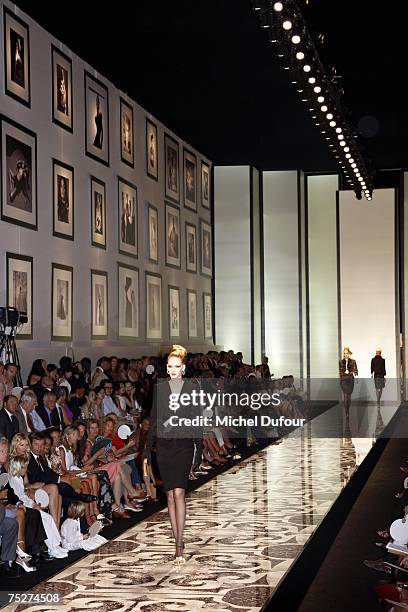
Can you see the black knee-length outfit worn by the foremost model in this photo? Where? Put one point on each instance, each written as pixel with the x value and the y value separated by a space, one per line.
pixel 174 445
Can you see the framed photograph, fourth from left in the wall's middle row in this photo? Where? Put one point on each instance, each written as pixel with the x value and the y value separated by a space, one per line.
pixel 128 218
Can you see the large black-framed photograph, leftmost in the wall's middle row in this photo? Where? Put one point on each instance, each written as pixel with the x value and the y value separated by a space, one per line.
pixel 18 174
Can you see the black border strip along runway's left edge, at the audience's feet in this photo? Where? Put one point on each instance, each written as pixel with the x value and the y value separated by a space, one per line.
pixel 47 570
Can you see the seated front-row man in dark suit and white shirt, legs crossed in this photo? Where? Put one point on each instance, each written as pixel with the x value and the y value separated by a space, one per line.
pixel 39 471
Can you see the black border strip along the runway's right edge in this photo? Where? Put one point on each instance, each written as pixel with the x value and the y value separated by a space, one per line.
pixel 293 587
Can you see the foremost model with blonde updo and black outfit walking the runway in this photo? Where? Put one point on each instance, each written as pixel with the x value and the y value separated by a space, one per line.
pixel 174 444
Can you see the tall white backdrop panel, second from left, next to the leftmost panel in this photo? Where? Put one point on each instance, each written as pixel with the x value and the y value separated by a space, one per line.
pixel 281 271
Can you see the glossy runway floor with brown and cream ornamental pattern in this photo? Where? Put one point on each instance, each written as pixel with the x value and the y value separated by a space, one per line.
pixel 244 530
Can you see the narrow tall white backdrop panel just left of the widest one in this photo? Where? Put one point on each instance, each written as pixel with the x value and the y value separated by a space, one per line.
pixel 322 258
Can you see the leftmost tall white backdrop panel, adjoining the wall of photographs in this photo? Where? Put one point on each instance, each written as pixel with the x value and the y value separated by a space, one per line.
pixel 232 215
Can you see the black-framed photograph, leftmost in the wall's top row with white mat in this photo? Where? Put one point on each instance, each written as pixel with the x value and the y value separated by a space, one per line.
pixel 16 58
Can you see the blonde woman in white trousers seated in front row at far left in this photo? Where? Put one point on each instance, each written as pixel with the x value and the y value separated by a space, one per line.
pixel 17 473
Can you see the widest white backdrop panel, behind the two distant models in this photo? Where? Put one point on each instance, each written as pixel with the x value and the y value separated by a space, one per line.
pixel 367 281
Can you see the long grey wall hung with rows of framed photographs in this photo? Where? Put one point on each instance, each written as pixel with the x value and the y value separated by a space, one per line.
pixel 29 118
